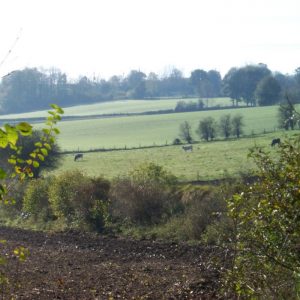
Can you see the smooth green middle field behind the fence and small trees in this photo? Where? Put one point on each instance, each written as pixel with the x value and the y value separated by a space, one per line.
pixel 135 131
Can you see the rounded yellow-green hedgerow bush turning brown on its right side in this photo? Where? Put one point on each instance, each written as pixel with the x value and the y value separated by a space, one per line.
pixel 80 200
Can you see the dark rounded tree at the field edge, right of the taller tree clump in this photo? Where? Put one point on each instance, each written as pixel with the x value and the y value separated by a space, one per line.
pixel 268 91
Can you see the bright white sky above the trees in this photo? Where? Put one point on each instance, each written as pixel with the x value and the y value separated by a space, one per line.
pixel 102 38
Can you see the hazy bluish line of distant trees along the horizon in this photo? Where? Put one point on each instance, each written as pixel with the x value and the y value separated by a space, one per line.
pixel 33 89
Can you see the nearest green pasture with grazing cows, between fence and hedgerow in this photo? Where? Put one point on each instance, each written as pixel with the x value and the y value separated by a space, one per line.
pixel 209 160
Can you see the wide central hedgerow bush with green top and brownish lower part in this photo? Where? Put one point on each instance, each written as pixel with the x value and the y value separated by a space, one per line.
pixel 147 196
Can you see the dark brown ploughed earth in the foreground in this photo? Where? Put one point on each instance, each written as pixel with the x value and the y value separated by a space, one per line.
pixel 75 265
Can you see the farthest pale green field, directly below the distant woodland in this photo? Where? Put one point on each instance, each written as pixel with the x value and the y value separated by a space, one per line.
pixel 120 107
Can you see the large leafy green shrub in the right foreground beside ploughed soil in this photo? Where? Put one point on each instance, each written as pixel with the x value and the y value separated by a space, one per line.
pixel 266 215
